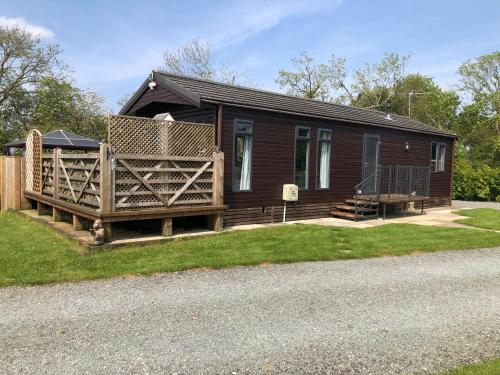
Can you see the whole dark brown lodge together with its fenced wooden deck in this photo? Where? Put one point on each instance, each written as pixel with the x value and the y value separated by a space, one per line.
pixel 189 147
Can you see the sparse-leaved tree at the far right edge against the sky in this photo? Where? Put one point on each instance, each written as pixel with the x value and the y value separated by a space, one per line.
pixel 481 79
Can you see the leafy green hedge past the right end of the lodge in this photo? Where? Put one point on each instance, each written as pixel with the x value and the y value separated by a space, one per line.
pixel 476 184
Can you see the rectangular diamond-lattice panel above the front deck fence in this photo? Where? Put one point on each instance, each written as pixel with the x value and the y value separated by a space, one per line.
pixel 138 135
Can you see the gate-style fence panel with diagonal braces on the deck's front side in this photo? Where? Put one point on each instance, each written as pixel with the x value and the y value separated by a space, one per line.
pixel 152 182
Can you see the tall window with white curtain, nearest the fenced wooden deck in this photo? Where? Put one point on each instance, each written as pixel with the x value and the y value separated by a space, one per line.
pixel 242 165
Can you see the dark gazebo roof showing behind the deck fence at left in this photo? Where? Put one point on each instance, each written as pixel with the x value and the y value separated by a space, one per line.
pixel 63 139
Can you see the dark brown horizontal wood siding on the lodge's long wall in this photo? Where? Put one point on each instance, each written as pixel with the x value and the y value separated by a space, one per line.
pixel 273 157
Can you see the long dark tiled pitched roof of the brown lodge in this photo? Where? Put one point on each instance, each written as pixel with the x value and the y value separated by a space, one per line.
pixel 201 90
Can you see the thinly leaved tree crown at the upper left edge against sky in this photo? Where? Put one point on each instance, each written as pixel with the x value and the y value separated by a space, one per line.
pixel 24 59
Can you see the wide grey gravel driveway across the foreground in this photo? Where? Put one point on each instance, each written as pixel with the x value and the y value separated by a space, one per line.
pixel 412 314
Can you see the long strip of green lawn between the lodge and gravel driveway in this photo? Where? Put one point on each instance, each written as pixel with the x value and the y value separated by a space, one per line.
pixel 31 253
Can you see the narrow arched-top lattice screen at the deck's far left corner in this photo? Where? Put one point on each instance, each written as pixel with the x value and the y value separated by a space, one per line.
pixel 33 156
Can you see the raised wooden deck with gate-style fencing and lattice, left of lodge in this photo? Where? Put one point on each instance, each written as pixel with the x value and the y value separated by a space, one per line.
pixel 151 169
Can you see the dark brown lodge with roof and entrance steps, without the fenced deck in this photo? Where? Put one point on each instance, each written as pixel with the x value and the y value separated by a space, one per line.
pixel 334 153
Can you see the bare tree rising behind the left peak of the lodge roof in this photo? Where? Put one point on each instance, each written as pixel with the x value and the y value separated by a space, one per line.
pixel 198 59
